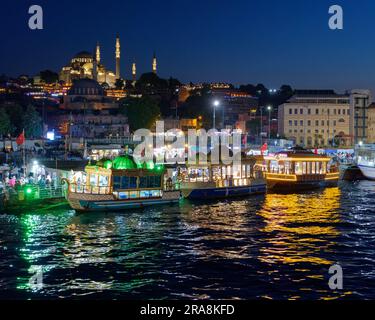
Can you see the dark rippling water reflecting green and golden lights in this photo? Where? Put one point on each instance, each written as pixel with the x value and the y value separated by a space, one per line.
pixel 267 247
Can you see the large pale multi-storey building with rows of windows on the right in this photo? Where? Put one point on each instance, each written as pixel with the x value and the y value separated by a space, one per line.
pixel 316 118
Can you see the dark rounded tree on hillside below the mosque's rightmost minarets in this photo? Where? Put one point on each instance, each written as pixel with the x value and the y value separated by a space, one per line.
pixel 141 112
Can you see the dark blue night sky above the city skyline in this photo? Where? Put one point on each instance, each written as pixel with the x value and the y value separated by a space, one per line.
pixel 274 42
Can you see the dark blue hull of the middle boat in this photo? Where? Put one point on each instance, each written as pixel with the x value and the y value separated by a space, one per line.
pixel 222 193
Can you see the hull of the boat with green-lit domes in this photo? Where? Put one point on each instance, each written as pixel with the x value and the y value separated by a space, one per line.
pixel 86 203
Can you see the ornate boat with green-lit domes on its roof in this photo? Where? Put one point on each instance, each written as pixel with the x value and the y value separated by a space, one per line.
pixel 121 184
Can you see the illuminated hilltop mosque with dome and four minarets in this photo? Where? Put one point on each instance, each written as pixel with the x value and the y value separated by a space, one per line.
pixel 87 65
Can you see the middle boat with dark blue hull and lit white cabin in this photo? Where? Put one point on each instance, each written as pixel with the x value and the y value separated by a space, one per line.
pixel 220 181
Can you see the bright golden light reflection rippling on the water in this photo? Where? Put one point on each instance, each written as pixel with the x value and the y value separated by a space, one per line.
pixel 300 226
